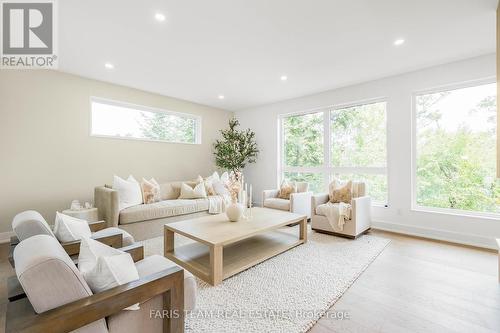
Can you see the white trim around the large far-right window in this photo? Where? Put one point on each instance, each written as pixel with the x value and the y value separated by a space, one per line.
pixel 428 209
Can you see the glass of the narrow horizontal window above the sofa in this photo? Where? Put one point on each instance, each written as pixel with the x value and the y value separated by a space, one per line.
pixel 114 120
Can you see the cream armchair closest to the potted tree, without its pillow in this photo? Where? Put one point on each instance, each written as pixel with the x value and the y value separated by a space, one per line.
pixel 300 201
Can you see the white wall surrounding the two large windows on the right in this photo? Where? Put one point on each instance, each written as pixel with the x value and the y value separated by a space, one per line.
pixel 398 91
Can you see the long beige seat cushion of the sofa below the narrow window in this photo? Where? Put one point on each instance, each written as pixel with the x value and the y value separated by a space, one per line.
pixel 162 209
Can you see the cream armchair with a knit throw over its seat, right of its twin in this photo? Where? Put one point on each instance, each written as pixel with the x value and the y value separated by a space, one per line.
pixel 360 220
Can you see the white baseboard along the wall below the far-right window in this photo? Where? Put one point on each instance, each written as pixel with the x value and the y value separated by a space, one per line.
pixel 443 235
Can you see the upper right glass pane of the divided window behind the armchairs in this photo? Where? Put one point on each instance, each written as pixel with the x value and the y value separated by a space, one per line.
pixel 358 136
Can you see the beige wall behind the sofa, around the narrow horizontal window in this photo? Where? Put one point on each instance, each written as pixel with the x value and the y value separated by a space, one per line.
pixel 47 157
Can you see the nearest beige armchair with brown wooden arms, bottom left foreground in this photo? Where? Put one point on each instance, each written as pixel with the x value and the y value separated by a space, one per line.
pixel 52 282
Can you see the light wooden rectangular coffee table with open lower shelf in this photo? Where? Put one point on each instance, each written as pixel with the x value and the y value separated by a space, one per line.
pixel 223 249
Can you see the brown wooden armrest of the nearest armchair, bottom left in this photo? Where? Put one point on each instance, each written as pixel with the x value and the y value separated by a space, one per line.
pixel 169 283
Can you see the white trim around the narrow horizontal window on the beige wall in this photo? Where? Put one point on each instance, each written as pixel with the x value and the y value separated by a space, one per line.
pixel 197 118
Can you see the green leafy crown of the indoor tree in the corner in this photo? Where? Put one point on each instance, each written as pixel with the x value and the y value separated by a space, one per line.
pixel 236 149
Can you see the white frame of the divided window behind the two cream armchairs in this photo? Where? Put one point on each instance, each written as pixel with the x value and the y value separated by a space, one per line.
pixel 326 169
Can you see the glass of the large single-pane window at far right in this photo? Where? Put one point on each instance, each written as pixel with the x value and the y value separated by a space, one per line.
pixel 456 136
